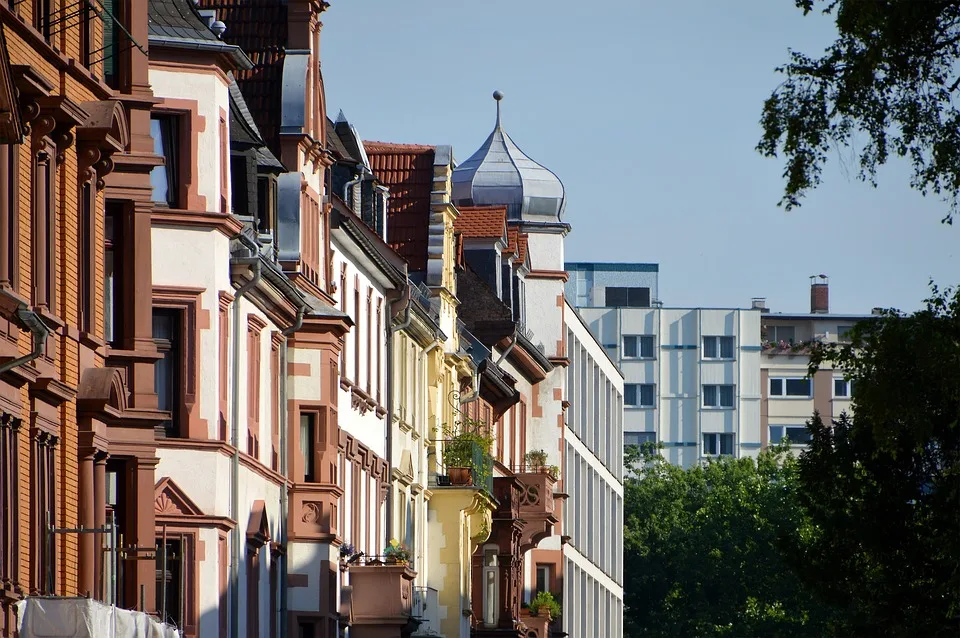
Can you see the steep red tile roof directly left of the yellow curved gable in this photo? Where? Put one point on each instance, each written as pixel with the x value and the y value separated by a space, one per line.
pixel 407 170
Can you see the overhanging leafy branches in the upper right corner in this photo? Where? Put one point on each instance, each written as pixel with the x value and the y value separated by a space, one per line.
pixel 888 84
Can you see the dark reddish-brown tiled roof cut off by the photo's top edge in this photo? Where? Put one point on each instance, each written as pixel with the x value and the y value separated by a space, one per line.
pixel 259 27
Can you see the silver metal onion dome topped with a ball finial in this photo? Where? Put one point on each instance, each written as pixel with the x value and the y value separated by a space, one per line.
pixel 499 173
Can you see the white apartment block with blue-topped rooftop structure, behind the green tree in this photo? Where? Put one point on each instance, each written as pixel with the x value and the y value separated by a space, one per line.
pixel 691 375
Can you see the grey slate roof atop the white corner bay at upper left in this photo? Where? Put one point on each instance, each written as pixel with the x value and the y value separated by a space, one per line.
pixel 178 24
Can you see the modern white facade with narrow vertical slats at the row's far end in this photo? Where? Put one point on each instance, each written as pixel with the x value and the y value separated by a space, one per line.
pixel 593 477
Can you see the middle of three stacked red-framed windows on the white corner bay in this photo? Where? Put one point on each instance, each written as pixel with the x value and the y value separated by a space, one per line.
pixel 167 333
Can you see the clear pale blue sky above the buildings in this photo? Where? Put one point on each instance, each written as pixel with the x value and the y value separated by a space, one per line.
pixel 648 112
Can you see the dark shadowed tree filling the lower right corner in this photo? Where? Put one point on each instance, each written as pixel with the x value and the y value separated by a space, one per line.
pixel 883 490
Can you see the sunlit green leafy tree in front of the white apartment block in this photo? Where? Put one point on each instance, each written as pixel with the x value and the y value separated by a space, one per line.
pixel 706 549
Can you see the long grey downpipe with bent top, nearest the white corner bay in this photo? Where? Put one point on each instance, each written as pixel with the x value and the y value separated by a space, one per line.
pixel 253 261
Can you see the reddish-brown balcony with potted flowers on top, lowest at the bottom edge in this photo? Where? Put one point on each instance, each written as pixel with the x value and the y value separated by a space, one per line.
pixel 382 598
